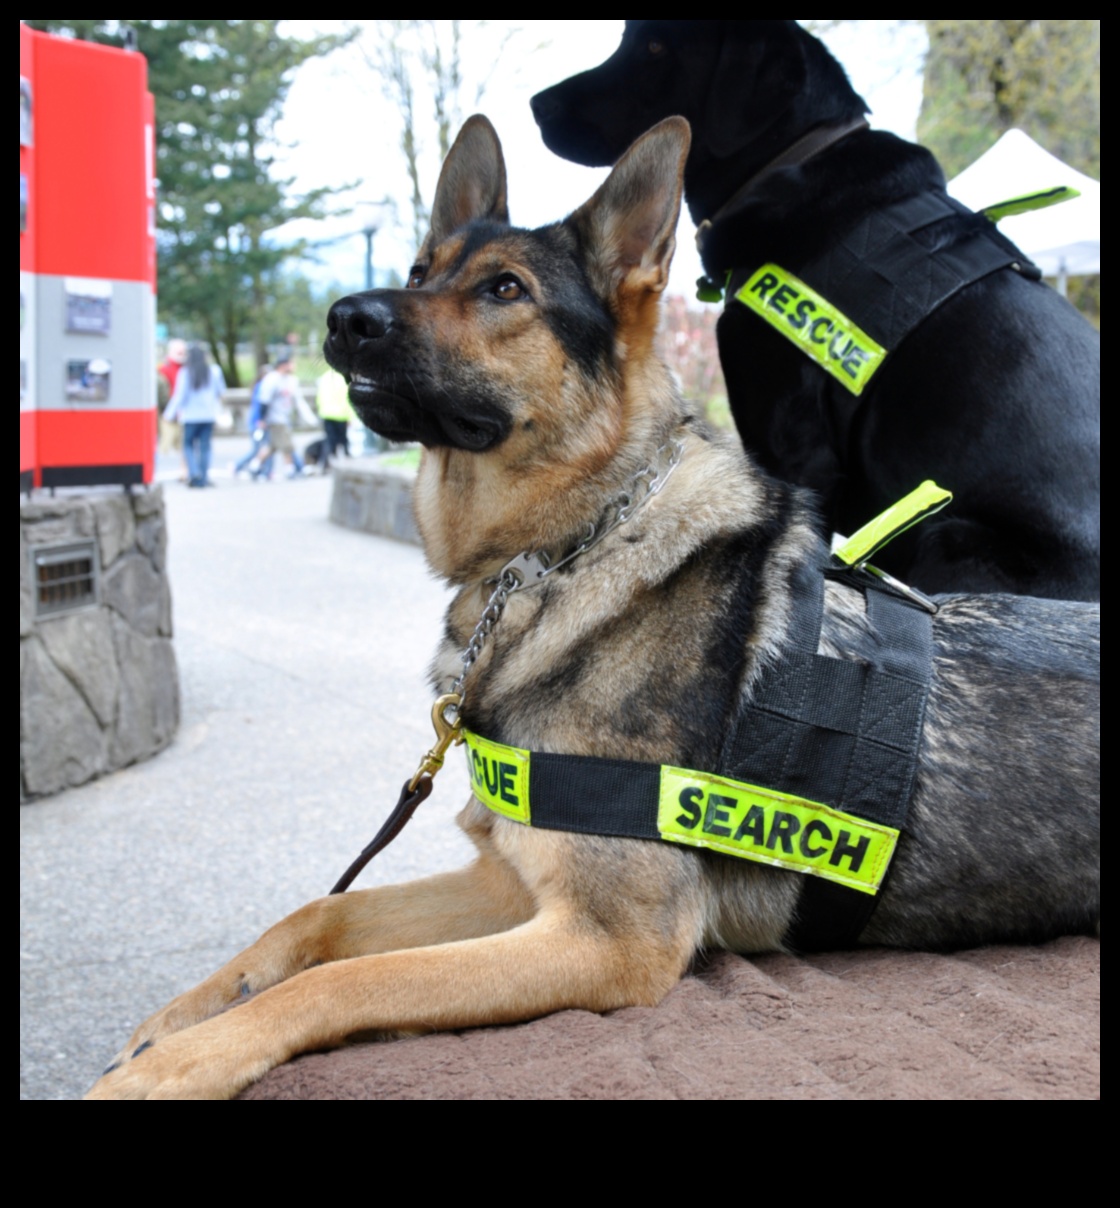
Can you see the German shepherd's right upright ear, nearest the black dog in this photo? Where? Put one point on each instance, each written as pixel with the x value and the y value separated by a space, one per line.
pixel 629 226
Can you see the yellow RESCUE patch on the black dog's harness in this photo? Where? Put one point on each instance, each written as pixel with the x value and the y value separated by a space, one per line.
pixel 815 326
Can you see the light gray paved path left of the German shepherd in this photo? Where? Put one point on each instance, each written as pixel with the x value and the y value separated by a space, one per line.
pixel 303 653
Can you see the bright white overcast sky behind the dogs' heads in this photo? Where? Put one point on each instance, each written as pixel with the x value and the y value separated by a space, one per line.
pixel 340 130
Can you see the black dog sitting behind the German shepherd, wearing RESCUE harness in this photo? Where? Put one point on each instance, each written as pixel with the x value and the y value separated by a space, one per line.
pixel 995 394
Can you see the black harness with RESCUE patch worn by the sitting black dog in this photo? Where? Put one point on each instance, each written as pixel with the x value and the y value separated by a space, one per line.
pixel 855 305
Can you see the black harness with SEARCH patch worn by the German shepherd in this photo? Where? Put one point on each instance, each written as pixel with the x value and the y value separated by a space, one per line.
pixel 816 775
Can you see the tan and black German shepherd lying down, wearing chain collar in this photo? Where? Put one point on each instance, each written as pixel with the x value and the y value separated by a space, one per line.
pixel 524 363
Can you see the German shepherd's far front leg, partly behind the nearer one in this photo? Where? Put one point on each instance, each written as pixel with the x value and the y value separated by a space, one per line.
pixel 485 898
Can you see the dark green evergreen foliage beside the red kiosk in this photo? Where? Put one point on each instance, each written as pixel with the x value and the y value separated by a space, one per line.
pixel 219 89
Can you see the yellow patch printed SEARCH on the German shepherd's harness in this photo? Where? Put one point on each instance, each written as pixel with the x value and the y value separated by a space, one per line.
pixel 703 810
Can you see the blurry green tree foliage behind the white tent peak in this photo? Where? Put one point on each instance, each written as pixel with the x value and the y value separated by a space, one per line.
pixel 984 78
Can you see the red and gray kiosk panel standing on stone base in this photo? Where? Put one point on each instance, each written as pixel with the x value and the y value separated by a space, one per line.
pixel 88 265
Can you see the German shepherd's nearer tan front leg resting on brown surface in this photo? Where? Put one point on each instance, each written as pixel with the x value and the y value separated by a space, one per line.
pixel 555 961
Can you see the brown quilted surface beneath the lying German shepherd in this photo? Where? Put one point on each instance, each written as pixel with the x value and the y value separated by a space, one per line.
pixel 988 1024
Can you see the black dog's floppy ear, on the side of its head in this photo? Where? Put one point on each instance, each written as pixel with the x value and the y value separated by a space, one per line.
pixel 761 73
